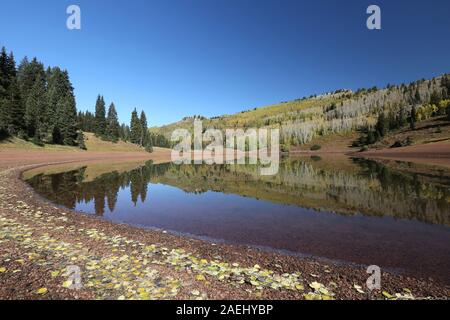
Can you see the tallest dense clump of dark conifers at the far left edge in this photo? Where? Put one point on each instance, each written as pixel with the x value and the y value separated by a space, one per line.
pixel 37 103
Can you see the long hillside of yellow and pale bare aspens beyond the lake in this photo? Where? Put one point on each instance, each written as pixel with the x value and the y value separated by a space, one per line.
pixel 343 112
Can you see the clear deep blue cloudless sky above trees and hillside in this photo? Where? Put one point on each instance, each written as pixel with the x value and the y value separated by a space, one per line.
pixel 175 58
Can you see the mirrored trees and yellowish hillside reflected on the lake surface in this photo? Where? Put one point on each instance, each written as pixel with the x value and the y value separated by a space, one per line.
pixel 360 186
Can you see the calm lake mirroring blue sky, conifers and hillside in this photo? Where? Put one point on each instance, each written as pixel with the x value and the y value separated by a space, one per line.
pixel 388 213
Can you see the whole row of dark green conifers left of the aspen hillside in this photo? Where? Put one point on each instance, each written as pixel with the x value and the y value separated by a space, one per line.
pixel 38 104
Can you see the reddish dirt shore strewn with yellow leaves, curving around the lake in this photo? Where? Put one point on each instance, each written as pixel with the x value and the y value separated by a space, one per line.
pixel 38 240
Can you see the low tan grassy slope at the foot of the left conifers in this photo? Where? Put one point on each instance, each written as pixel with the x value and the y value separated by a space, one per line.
pixel 92 144
